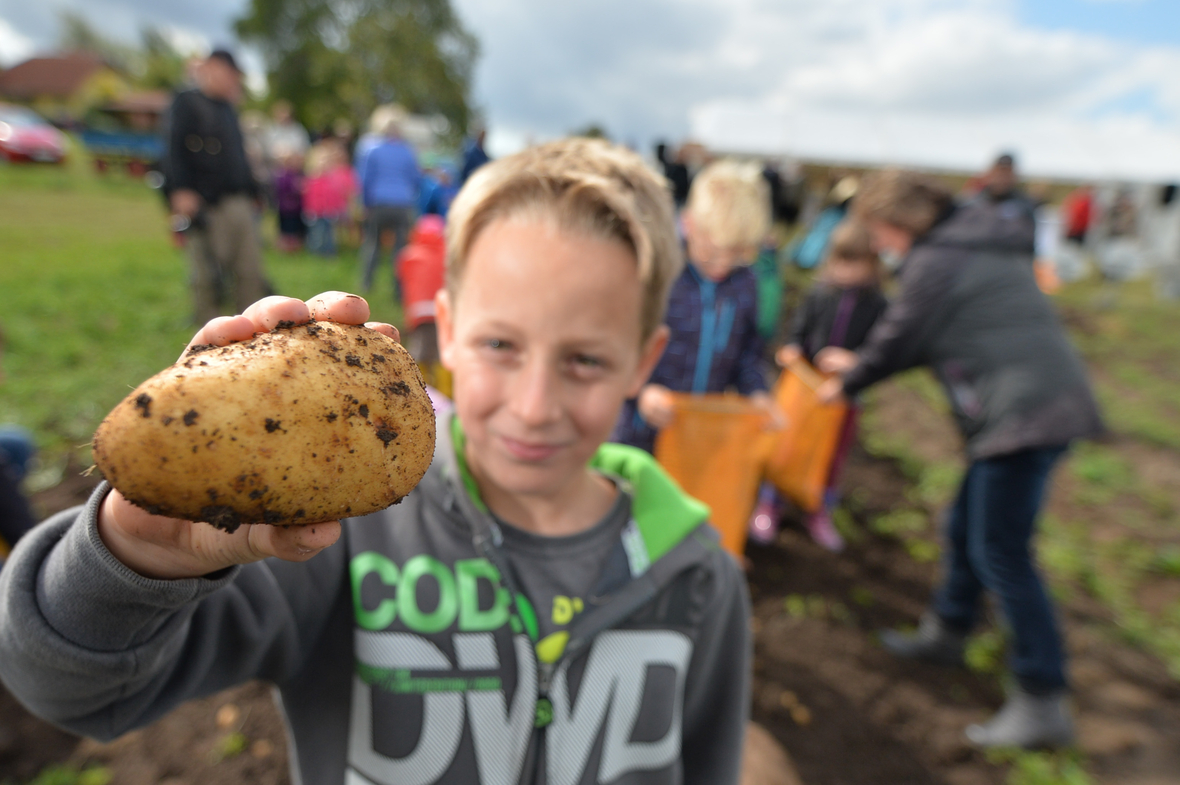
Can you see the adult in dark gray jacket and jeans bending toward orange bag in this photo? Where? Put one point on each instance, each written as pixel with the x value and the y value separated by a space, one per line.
pixel 971 310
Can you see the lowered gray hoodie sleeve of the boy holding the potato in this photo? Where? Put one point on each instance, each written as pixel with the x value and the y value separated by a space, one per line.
pixel 717 691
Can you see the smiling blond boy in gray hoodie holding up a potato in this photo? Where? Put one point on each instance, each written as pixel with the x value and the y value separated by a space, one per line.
pixel 543 609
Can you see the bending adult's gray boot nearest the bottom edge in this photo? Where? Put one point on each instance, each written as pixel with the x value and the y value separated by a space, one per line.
pixel 1027 721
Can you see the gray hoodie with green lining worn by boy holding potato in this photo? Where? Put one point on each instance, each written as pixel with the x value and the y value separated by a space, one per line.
pixel 401 655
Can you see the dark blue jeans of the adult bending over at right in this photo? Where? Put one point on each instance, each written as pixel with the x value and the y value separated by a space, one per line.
pixel 988 534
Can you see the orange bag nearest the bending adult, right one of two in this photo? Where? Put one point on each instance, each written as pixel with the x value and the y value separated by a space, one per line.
pixel 801 460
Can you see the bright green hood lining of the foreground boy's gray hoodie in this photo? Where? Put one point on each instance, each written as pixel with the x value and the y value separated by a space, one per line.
pixel 665 514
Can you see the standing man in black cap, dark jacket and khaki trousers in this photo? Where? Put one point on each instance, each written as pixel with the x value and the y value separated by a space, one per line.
pixel 213 192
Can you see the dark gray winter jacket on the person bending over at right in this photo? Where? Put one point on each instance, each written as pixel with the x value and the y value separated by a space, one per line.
pixel 969 308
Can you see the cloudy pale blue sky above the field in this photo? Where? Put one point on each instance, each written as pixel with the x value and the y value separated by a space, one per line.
pixel 1076 88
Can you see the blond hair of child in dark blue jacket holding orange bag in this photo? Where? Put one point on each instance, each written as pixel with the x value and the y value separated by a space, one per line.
pixel 730 204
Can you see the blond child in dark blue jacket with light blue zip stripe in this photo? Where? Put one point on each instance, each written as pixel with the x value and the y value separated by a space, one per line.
pixel 714 343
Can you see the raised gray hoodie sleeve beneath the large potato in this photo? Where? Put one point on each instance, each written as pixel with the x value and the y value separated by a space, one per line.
pixel 93 646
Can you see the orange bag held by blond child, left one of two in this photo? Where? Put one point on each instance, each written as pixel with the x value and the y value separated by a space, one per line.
pixel 711 449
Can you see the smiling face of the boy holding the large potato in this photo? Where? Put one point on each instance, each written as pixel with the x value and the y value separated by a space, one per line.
pixel 545 343
